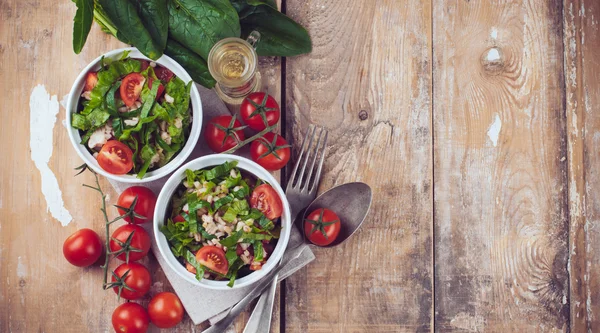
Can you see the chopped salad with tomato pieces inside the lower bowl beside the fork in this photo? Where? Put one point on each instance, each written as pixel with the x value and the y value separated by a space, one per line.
pixel 223 223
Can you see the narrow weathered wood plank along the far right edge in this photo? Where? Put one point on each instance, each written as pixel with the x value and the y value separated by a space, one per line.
pixel 582 68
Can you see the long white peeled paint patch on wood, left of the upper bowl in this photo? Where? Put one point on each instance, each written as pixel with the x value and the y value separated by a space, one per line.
pixel 42 117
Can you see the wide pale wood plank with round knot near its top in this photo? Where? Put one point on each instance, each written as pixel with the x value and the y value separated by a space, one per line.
pixel 500 170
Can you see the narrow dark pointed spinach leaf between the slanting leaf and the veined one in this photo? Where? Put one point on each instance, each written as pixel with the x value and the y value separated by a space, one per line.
pixel 155 18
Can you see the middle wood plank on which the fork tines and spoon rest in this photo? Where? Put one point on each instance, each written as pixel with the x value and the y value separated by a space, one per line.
pixel 368 81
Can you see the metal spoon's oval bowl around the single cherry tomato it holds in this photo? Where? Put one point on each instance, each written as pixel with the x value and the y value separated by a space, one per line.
pixel 351 202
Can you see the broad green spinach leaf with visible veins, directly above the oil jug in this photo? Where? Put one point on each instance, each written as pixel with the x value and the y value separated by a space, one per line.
pixel 198 25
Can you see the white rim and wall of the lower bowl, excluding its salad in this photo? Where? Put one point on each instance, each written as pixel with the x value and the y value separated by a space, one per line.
pixel 164 200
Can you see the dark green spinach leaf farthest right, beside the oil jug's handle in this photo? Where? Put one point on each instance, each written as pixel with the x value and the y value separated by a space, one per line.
pixel 280 35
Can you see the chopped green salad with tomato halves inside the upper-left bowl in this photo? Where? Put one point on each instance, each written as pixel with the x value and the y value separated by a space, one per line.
pixel 134 115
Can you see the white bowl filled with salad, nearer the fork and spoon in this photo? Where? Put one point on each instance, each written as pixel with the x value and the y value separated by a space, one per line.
pixel 223 223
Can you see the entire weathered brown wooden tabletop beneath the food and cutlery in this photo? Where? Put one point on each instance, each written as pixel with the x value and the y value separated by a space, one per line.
pixel 476 123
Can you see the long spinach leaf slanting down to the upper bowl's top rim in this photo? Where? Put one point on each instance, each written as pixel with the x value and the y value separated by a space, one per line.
pixel 129 24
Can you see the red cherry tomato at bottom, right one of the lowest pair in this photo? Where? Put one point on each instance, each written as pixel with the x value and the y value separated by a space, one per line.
pixel 165 310
